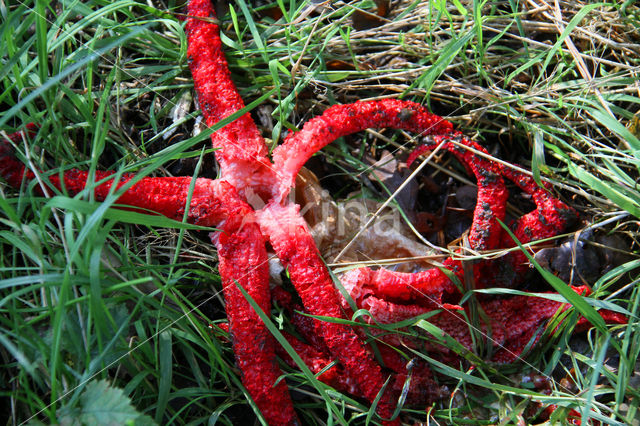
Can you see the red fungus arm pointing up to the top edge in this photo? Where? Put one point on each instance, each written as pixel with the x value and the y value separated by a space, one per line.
pixel 242 152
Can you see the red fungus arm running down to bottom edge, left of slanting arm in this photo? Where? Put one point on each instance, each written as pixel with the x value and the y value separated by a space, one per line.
pixel 243 262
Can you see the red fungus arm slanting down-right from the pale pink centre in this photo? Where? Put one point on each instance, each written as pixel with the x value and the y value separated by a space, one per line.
pixel 290 238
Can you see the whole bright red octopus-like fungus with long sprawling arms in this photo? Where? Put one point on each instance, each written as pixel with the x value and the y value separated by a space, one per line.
pixel 388 296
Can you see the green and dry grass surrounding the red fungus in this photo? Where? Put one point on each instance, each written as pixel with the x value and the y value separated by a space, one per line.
pixel 102 308
